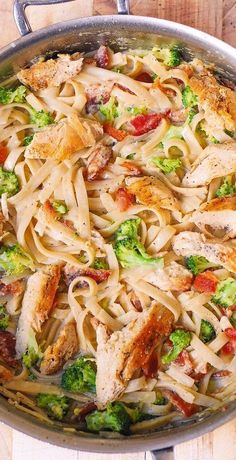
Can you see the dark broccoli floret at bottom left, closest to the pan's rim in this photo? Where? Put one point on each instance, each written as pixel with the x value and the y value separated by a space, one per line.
pixel 55 406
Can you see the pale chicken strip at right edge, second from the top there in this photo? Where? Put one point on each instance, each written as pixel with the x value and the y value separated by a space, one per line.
pixel 216 160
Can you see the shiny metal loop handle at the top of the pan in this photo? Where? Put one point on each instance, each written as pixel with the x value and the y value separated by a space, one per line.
pixel 23 24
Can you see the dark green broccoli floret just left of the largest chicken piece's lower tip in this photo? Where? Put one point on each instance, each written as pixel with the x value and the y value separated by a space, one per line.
pixel 80 376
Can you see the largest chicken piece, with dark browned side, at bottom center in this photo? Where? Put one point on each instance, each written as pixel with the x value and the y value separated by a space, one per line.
pixel 122 353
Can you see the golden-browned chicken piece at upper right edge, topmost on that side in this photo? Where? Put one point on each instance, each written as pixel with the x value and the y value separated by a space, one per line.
pixel 218 102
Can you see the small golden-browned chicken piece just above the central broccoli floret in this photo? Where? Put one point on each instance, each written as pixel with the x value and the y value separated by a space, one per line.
pixel 152 192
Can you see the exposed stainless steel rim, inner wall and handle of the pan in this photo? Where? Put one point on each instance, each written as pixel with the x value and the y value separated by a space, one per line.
pixel 120 32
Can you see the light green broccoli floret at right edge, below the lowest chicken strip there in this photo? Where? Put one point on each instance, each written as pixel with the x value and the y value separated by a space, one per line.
pixel 225 294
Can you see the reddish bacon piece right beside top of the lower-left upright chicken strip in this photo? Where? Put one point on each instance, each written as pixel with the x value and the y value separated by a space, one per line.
pixel 70 273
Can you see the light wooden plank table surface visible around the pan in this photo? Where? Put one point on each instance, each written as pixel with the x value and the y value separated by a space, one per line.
pixel 217 17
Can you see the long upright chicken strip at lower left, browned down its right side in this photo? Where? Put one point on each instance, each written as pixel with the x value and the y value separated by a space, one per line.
pixel 37 304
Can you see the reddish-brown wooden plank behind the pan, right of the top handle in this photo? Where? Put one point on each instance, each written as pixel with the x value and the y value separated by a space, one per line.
pixel 205 15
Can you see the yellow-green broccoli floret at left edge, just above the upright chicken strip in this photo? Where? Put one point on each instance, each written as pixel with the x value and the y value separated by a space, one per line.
pixel 14 260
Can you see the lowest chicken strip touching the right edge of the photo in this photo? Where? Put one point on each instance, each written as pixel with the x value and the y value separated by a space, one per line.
pixel 195 244
